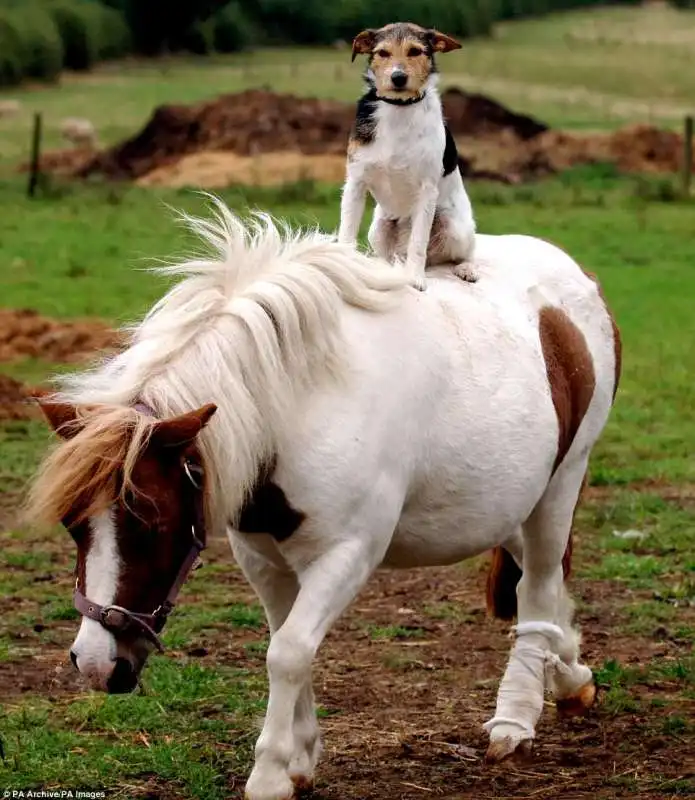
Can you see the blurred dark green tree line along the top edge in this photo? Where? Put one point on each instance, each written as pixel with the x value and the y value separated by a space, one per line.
pixel 39 38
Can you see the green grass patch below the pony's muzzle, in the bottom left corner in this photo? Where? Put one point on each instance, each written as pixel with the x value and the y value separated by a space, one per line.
pixel 184 729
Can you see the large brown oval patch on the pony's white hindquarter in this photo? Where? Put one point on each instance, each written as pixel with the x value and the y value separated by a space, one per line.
pixel 570 372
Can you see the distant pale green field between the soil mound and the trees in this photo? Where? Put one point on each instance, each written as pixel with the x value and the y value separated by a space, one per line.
pixel 591 69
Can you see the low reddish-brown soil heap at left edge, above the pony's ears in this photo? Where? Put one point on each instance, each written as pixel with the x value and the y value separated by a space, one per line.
pixel 25 333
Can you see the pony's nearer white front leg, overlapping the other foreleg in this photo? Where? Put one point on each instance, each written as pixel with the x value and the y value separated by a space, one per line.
pixel 328 585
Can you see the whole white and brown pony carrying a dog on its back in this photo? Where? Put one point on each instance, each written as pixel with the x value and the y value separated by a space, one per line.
pixel 294 393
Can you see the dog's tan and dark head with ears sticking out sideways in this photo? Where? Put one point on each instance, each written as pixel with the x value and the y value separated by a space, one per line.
pixel 401 56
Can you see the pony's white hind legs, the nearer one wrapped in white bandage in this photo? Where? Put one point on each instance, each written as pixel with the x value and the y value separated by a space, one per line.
pixel 544 621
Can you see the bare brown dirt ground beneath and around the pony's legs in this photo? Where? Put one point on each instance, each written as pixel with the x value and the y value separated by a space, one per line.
pixel 404 713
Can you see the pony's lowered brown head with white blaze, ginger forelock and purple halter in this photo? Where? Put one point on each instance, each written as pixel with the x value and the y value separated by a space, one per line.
pixel 131 490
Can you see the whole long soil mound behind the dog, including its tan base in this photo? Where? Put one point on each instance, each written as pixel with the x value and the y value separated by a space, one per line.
pixel 259 137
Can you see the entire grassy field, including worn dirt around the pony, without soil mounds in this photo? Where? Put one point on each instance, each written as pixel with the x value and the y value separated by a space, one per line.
pixel 409 675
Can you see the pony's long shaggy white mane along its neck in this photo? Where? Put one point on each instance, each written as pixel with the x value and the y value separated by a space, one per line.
pixel 249 329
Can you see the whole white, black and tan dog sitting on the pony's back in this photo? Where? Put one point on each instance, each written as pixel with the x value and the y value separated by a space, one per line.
pixel 403 154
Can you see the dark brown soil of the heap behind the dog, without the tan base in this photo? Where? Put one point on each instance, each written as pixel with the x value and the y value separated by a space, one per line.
pixel 256 121
